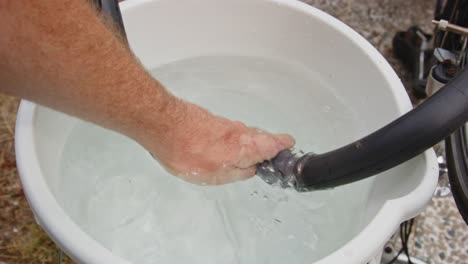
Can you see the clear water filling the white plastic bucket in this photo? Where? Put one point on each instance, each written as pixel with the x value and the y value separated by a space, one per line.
pixel 119 194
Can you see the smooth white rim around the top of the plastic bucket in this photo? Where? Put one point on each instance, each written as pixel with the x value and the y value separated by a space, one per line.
pixel 83 248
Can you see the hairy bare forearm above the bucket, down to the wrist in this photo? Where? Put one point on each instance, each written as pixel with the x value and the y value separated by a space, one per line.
pixel 59 54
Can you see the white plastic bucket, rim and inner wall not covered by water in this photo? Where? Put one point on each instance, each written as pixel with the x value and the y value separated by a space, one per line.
pixel 163 31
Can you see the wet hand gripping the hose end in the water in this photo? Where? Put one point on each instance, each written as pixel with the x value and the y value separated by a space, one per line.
pixel 206 149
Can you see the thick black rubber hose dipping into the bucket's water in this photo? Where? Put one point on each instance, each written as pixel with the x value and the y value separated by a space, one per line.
pixel 397 142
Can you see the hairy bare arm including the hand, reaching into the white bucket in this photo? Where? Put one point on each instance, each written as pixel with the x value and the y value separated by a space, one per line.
pixel 60 54
